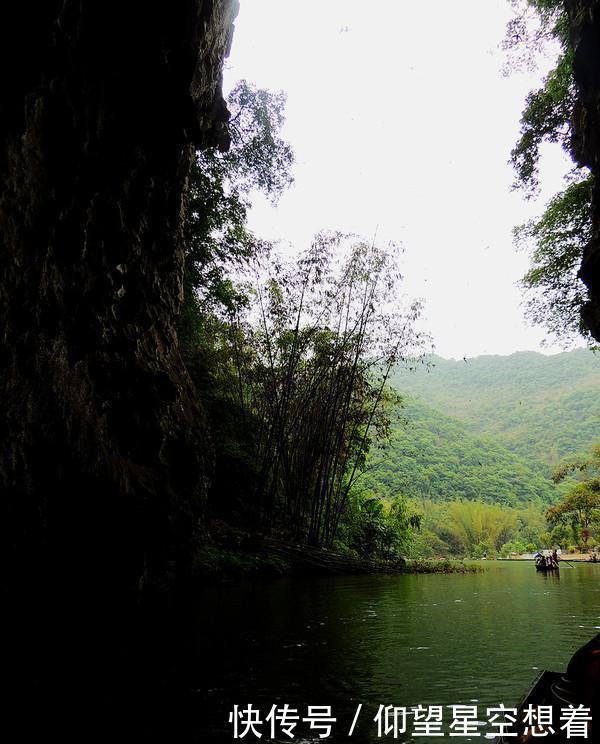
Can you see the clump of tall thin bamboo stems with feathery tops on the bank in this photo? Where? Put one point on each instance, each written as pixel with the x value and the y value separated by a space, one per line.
pixel 312 359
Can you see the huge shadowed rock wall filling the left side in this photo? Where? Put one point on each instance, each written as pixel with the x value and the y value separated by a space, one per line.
pixel 103 453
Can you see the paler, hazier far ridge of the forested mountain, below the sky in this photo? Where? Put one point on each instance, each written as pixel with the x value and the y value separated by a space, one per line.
pixel 542 408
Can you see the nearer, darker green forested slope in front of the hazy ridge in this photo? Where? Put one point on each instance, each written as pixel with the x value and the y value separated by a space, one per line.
pixel 433 456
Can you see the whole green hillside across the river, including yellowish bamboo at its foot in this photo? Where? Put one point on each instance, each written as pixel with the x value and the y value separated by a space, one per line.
pixel 507 423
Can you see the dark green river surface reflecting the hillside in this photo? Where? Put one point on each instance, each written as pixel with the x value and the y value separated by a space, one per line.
pixel 392 640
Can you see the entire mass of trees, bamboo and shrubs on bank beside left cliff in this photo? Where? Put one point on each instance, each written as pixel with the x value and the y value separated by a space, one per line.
pixel 292 357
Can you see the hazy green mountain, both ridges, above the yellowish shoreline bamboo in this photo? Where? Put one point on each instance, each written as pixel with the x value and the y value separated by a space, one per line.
pixel 489 429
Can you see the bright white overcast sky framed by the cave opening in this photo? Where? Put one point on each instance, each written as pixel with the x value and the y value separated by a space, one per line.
pixel 402 122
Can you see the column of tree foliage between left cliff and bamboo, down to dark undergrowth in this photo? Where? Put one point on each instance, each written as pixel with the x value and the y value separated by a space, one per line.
pixel 219 248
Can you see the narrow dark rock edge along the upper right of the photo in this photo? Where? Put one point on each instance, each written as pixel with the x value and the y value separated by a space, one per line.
pixel 584 18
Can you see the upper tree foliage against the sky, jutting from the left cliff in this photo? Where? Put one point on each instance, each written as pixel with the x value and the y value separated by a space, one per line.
pixel 217 241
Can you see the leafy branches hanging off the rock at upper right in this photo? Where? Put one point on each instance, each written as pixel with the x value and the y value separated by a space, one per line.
pixel 554 294
